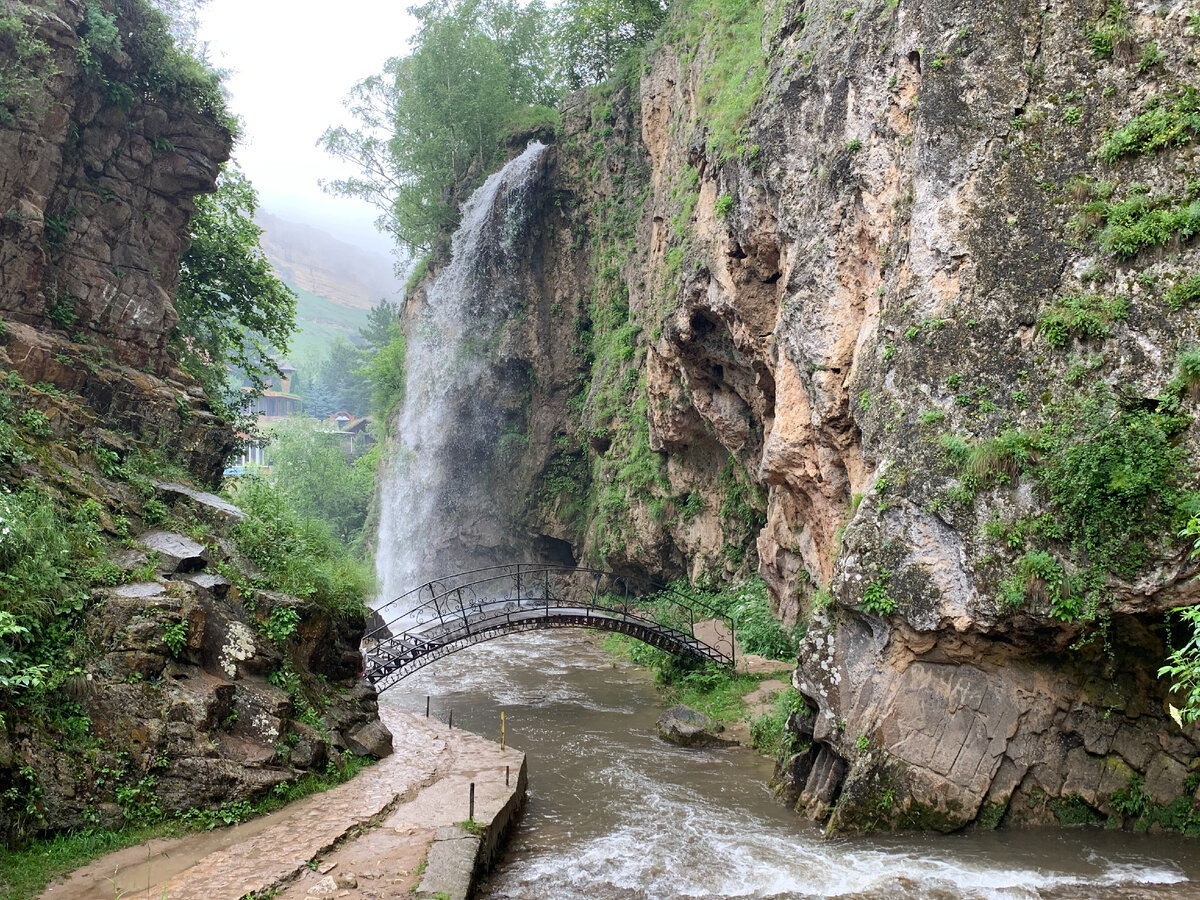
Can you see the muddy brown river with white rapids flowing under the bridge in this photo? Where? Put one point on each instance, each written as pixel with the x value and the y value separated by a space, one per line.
pixel 615 813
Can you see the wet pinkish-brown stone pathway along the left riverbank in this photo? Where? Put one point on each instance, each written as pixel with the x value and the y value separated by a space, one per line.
pixel 363 839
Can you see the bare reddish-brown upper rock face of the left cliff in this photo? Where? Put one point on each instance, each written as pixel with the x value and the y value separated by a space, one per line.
pixel 98 201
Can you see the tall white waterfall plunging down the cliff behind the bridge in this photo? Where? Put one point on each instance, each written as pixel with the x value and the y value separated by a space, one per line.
pixel 436 515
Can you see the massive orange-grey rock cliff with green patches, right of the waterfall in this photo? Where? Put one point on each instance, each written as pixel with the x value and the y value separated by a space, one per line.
pixel 892 303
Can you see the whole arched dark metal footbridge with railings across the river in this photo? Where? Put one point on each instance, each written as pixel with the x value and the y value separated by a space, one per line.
pixel 459 611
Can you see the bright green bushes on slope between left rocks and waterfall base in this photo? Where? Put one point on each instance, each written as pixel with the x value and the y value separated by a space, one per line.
pixel 298 555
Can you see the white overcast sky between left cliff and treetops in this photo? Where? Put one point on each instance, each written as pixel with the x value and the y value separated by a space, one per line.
pixel 291 65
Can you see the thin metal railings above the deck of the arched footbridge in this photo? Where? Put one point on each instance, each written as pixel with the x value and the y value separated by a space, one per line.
pixel 454 602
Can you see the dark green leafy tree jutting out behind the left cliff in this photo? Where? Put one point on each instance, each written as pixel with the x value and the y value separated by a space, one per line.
pixel 233 313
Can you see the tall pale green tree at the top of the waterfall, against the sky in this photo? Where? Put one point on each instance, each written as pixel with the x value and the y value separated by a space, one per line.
pixel 431 122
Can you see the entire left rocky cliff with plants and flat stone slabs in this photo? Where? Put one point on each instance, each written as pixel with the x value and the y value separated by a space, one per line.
pixel 142 670
